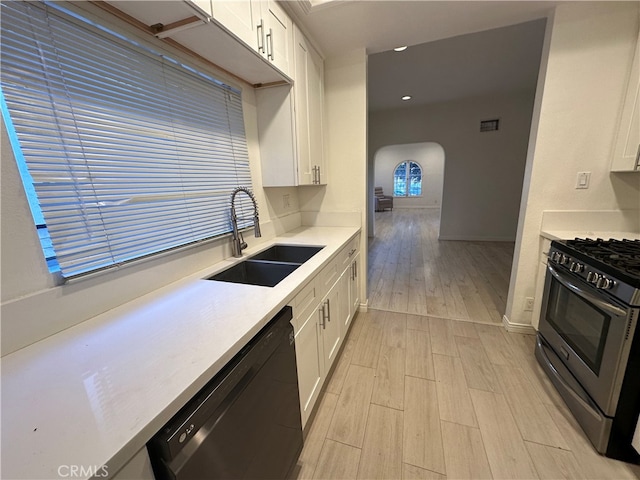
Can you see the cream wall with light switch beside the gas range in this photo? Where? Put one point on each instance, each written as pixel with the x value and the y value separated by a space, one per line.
pixel 589 48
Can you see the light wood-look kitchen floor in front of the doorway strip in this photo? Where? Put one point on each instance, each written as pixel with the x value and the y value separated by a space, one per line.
pixel 420 397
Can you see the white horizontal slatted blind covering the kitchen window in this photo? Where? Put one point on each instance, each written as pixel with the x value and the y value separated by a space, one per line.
pixel 129 152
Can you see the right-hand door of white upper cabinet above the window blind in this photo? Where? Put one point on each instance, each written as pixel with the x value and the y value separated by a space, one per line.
pixel 278 32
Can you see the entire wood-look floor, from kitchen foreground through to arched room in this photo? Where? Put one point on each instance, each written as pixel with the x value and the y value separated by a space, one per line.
pixel 417 395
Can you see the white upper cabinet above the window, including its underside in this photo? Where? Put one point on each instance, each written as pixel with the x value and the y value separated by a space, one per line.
pixel 250 39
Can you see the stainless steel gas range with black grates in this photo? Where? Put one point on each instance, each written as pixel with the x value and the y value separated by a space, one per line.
pixel 589 341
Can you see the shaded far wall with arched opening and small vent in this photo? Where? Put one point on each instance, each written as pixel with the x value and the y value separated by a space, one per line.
pixel 483 171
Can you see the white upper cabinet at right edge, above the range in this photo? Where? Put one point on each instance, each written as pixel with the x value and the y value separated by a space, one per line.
pixel 626 154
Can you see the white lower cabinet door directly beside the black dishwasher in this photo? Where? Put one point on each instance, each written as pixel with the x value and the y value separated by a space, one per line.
pixel 310 364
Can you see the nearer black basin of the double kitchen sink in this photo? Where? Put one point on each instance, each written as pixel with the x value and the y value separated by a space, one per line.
pixel 256 272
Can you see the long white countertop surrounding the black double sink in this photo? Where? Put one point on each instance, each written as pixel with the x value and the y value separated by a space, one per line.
pixel 94 394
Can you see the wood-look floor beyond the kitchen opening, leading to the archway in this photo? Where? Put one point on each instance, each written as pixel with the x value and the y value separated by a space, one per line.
pixel 411 271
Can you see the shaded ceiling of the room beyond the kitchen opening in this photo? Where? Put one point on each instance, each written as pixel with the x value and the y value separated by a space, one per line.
pixel 499 60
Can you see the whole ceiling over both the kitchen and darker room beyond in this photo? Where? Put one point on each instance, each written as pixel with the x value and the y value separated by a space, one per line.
pixel 456 48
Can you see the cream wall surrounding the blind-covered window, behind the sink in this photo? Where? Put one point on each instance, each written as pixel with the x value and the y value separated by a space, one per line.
pixel 34 306
